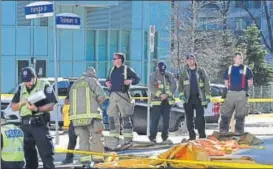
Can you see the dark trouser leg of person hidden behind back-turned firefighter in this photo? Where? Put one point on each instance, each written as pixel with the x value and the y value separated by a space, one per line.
pixel 72 140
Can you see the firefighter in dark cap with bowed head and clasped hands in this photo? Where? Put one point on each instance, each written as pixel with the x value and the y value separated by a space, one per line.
pixel 162 85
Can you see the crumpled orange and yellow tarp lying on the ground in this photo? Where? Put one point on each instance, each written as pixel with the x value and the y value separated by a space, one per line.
pixel 198 150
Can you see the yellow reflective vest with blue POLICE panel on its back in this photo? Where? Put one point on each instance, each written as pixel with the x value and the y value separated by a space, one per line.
pixel 13 143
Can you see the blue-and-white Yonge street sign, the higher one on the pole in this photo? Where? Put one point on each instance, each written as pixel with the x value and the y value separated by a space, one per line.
pixel 39 9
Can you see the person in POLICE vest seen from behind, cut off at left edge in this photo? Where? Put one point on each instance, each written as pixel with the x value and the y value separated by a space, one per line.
pixel 12 145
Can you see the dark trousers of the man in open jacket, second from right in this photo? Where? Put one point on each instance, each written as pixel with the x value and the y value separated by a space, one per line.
pixel 194 103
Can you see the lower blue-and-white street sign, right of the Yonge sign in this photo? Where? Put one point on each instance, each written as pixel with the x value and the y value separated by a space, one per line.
pixel 68 21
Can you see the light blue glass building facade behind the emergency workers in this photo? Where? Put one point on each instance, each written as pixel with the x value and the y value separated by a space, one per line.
pixel 106 27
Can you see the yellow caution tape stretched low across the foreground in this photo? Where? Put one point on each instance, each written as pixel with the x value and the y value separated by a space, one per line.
pixel 207 163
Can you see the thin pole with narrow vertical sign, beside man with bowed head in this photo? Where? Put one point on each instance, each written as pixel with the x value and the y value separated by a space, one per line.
pixel 151 42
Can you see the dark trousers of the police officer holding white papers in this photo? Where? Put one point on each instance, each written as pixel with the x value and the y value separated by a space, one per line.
pixel 38 136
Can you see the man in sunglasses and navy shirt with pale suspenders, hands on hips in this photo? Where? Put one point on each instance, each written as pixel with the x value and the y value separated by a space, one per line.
pixel 119 80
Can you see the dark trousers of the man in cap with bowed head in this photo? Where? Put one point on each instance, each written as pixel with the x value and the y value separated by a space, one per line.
pixel 156 112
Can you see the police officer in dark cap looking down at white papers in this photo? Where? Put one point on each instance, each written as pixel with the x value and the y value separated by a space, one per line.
pixel 35 118
